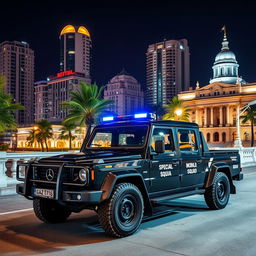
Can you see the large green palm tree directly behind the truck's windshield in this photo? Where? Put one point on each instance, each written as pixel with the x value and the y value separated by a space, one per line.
pixel 85 106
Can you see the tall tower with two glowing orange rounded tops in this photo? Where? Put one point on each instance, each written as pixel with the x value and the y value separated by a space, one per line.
pixel 75 49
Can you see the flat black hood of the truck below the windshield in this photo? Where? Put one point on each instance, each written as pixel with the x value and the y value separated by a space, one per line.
pixel 90 157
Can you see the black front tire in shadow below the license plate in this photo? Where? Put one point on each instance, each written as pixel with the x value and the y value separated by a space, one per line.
pixel 50 211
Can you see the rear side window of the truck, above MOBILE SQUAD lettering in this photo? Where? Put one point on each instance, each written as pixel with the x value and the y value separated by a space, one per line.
pixel 187 140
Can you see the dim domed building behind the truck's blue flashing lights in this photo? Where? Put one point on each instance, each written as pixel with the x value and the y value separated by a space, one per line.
pixel 126 93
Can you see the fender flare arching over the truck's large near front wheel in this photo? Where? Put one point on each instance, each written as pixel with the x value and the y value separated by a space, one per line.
pixel 131 177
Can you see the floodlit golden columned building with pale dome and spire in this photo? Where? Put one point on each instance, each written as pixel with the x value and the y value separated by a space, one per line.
pixel 215 107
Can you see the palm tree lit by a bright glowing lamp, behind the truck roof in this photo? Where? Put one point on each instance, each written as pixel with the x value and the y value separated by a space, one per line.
pixel 176 110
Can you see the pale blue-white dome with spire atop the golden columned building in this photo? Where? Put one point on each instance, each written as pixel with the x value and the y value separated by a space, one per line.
pixel 225 67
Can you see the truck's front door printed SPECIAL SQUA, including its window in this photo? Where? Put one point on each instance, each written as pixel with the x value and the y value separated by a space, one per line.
pixel 165 167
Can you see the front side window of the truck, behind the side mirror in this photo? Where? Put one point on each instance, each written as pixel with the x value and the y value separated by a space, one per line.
pixel 167 136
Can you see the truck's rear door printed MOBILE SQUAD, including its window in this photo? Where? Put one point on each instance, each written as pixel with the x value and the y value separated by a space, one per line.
pixel 192 171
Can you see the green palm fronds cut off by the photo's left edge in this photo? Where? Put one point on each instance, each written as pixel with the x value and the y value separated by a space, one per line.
pixel 7 109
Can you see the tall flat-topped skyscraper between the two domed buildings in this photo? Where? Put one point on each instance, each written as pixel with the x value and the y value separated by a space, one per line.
pixel 167 71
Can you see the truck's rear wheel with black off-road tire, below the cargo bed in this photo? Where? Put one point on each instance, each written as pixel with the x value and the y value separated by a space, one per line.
pixel 217 195
